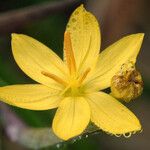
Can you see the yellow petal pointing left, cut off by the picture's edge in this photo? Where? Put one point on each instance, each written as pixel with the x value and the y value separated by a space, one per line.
pixel 30 96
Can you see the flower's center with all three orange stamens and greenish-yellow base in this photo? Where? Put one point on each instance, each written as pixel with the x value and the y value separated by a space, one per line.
pixel 74 85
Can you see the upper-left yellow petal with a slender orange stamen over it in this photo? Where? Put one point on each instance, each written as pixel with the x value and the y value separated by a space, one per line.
pixel 33 57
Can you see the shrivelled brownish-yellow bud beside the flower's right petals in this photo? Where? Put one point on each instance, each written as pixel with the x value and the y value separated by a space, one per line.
pixel 127 84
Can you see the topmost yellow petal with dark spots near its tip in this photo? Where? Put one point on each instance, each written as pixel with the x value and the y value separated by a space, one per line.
pixel 85 37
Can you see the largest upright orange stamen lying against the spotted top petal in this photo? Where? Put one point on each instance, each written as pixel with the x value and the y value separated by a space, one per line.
pixel 69 53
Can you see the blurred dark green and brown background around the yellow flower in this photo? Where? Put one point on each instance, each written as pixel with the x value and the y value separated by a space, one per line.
pixel 45 20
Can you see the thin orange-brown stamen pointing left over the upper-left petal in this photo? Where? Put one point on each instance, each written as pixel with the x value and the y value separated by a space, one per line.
pixel 54 77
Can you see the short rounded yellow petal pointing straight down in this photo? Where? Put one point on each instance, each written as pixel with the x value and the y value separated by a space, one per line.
pixel 71 118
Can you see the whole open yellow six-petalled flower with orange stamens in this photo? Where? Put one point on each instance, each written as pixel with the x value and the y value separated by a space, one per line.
pixel 73 84
